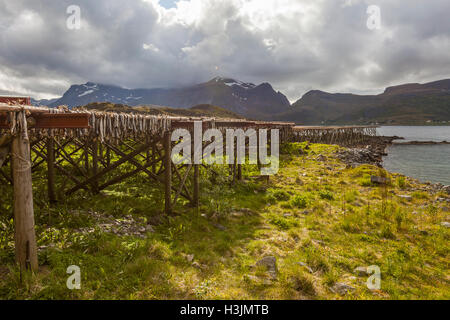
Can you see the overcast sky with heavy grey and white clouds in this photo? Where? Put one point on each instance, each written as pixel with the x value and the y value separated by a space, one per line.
pixel 296 45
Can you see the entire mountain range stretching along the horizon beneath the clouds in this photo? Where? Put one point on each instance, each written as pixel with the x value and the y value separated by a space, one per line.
pixel 412 103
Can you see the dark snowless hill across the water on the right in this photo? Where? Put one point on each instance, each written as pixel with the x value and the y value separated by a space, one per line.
pixel 404 104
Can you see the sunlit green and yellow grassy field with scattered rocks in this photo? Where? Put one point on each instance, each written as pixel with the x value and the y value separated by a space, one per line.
pixel 319 219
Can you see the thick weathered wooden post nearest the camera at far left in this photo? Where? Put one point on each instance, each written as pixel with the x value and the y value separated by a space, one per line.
pixel 24 235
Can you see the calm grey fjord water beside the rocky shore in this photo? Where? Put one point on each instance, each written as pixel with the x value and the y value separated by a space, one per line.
pixel 423 162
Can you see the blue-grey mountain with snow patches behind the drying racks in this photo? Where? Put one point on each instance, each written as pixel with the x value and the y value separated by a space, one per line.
pixel 247 99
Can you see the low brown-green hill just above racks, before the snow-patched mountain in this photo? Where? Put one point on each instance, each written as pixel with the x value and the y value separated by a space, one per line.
pixel 203 110
